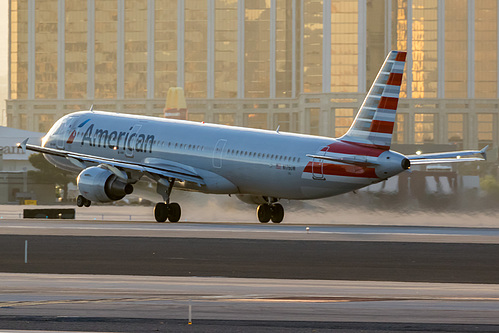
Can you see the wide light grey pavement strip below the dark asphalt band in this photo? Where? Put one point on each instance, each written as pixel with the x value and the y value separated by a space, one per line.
pixel 223 304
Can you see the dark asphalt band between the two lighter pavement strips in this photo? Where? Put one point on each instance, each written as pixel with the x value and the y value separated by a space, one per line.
pixel 337 260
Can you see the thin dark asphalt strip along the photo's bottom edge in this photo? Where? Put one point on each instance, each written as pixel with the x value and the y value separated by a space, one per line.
pixel 99 324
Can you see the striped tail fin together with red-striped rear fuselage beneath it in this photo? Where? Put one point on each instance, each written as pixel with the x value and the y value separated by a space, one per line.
pixel 371 132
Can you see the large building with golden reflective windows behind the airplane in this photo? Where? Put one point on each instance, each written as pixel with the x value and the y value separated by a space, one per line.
pixel 303 65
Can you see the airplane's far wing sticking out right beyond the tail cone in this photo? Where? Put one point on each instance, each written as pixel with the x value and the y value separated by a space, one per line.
pixel 449 157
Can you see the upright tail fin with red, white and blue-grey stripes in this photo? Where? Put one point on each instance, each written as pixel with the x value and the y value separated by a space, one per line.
pixel 373 126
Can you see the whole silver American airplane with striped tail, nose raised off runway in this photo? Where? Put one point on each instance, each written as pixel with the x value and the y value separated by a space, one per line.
pixel 111 152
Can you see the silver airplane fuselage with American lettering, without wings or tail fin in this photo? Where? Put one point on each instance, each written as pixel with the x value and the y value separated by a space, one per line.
pixel 238 160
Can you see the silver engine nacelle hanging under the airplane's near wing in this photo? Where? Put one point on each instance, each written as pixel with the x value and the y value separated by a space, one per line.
pixel 101 185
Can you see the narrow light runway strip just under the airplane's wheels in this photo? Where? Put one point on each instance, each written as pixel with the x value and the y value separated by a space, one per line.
pixel 259 231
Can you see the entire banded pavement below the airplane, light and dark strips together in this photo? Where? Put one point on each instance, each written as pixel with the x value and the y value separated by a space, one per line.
pixel 140 276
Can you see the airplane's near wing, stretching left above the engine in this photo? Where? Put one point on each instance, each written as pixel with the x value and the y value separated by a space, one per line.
pixel 118 167
